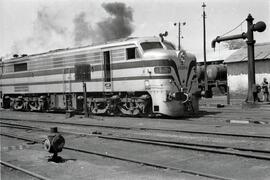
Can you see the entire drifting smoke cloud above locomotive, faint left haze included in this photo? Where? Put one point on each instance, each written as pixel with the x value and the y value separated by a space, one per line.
pixel 51 31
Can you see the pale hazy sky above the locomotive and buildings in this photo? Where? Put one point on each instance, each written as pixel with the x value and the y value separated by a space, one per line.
pixel 34 26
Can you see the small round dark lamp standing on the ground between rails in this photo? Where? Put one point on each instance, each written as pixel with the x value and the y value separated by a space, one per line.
pixel 54 144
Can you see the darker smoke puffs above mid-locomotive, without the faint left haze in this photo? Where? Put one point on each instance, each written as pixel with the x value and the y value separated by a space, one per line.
pixel 118 25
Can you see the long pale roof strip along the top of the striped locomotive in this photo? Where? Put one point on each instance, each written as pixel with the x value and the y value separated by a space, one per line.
pixel 118 42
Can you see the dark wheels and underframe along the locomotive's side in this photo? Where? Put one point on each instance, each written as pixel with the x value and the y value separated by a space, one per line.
pixel 113 103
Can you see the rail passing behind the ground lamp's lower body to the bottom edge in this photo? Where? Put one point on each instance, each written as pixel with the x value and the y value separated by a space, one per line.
pixel 146 163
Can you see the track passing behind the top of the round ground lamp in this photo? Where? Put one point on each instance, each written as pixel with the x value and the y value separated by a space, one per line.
pixel 220 149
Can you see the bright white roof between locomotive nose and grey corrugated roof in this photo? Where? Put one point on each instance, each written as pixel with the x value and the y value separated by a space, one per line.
pixel 215 55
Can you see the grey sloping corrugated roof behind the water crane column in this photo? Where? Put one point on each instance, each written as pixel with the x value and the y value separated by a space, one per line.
pixel 262 52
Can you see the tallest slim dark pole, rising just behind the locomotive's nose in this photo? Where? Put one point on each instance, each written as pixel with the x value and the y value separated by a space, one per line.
pixel 204 51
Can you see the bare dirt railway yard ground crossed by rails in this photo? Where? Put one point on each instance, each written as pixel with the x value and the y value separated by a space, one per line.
pixel 221 142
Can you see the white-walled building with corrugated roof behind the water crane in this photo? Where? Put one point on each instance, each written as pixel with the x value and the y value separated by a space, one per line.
pixel 237 68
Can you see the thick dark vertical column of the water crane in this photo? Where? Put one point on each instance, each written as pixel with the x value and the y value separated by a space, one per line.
pixel 251 65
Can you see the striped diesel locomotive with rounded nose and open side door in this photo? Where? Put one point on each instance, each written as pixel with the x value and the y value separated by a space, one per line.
pixel 133 76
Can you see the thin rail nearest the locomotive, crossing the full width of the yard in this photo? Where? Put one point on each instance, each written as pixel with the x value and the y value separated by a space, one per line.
pixel 142 128
